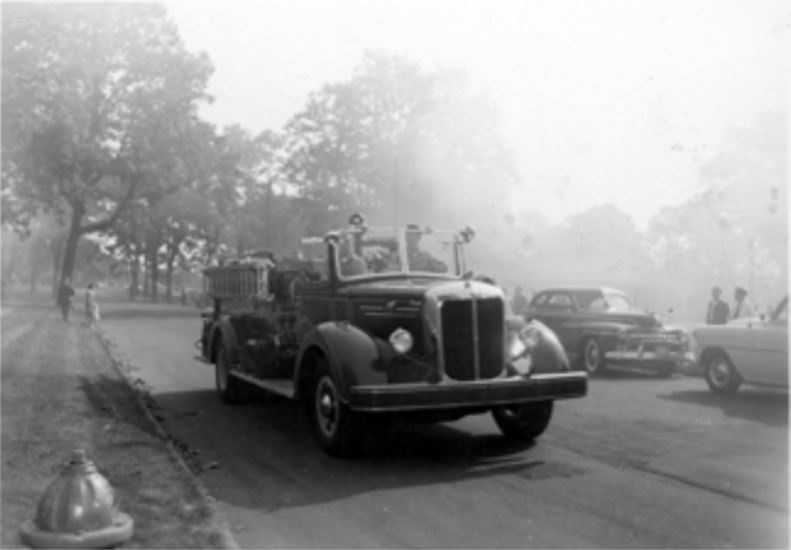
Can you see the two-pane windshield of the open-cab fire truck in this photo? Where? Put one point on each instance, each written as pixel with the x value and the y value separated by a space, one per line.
pixel 383 251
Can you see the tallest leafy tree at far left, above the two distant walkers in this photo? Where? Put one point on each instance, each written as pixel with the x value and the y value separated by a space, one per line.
pixel 95 97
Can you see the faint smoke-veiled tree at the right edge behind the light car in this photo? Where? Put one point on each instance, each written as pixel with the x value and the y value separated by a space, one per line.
pixel 734 231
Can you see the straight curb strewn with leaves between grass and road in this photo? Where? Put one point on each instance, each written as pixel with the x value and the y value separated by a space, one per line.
pixel 226 539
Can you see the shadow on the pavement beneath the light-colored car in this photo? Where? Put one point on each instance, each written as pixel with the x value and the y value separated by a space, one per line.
pixel 764 406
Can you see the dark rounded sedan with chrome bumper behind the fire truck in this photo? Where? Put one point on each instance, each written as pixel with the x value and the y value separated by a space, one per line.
pixel 599 326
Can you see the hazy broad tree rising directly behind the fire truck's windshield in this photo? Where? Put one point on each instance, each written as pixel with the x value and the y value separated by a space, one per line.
pixel 396 139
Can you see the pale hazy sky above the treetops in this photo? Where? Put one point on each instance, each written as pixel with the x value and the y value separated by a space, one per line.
pixel 604 101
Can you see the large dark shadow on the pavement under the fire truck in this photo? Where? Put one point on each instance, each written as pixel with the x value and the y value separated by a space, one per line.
pixel 266 456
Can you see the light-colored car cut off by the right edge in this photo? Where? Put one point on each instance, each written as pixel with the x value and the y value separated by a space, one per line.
pixel 744 351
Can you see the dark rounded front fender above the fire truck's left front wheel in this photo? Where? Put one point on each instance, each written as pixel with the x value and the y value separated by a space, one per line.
pixel 351 353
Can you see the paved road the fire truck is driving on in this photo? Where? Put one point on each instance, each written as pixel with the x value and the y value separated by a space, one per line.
pixel 641 462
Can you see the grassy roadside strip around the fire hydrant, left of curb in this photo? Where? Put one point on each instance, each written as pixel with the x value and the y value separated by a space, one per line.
pixel 61 390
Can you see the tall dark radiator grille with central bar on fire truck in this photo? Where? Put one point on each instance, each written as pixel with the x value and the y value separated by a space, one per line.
pixel 458 342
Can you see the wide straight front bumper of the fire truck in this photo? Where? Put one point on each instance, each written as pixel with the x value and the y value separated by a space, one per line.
pixel 478 393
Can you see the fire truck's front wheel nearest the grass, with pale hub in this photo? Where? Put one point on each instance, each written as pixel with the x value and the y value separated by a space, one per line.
pixel 335 426
